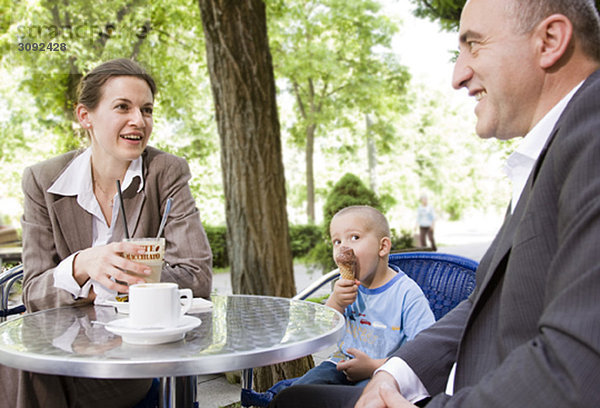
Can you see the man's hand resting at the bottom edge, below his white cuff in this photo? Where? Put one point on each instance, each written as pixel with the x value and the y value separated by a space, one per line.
pixel 382 392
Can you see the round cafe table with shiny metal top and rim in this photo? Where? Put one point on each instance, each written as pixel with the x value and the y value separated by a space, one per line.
pixel 239 332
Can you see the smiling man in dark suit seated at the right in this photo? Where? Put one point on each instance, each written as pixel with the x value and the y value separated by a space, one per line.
pixel 529 335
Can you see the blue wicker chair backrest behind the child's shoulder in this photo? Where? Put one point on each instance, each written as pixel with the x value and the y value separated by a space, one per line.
pixel 446 280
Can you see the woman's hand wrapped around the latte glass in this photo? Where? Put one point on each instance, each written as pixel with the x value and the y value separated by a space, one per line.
pixel 104 262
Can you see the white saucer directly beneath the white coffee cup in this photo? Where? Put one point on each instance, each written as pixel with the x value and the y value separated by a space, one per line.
pixel 133 335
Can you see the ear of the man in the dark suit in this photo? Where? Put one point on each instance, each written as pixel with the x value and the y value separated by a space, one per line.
pixel 554 35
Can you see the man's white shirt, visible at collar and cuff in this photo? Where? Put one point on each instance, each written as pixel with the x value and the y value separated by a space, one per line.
pixel 518 167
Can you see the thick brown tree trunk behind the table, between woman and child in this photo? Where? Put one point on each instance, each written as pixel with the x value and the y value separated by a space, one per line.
pixel 243 85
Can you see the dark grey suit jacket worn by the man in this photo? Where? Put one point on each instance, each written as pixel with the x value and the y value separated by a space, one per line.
pixel 529 335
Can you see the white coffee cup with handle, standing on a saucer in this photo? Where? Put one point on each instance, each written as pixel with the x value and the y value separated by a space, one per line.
pixel 158 305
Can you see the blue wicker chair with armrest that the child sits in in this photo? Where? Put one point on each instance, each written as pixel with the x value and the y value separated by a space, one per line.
pixel 446 280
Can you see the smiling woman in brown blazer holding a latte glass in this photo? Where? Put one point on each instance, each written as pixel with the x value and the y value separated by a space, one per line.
pixel 72 232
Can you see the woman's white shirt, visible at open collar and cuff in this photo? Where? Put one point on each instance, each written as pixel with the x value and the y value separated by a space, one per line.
pixel 76 180
